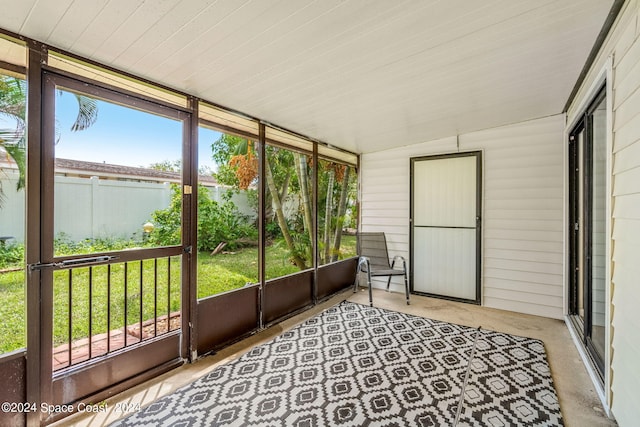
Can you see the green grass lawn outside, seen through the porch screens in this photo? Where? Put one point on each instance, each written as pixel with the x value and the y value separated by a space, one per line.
pixel 220 273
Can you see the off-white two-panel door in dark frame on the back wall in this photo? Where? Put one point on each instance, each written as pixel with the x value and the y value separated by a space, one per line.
pixel 445 226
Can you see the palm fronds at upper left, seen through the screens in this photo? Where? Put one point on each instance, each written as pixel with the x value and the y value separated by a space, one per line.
pixel 13 106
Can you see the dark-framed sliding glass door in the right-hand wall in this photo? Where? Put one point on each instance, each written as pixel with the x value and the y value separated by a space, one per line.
pixel 587 192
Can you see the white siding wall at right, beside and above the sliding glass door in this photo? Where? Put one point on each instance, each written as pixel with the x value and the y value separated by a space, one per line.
pixel 623 45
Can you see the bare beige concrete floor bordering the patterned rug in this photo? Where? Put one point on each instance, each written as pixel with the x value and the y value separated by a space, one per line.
pixel 579 402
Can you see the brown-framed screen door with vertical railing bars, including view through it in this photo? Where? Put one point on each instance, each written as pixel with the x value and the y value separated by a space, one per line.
pixel 111 296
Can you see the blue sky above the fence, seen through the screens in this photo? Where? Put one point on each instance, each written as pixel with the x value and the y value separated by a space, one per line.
pixel 124 136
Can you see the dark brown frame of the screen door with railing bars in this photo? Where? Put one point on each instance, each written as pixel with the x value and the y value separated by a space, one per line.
pixel 41 381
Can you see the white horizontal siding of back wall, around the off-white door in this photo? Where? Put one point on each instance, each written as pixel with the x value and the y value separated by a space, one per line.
pixel 522 246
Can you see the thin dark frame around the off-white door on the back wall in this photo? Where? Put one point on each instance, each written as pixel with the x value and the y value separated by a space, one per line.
pixel 478 155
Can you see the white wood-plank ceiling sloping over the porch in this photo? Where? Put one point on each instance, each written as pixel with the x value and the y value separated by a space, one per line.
pixel 364 75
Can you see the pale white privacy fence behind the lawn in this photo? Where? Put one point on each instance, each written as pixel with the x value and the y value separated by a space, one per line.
pixel 96 208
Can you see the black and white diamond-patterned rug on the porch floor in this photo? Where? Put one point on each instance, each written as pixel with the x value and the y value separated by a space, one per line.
pixel 355 365
